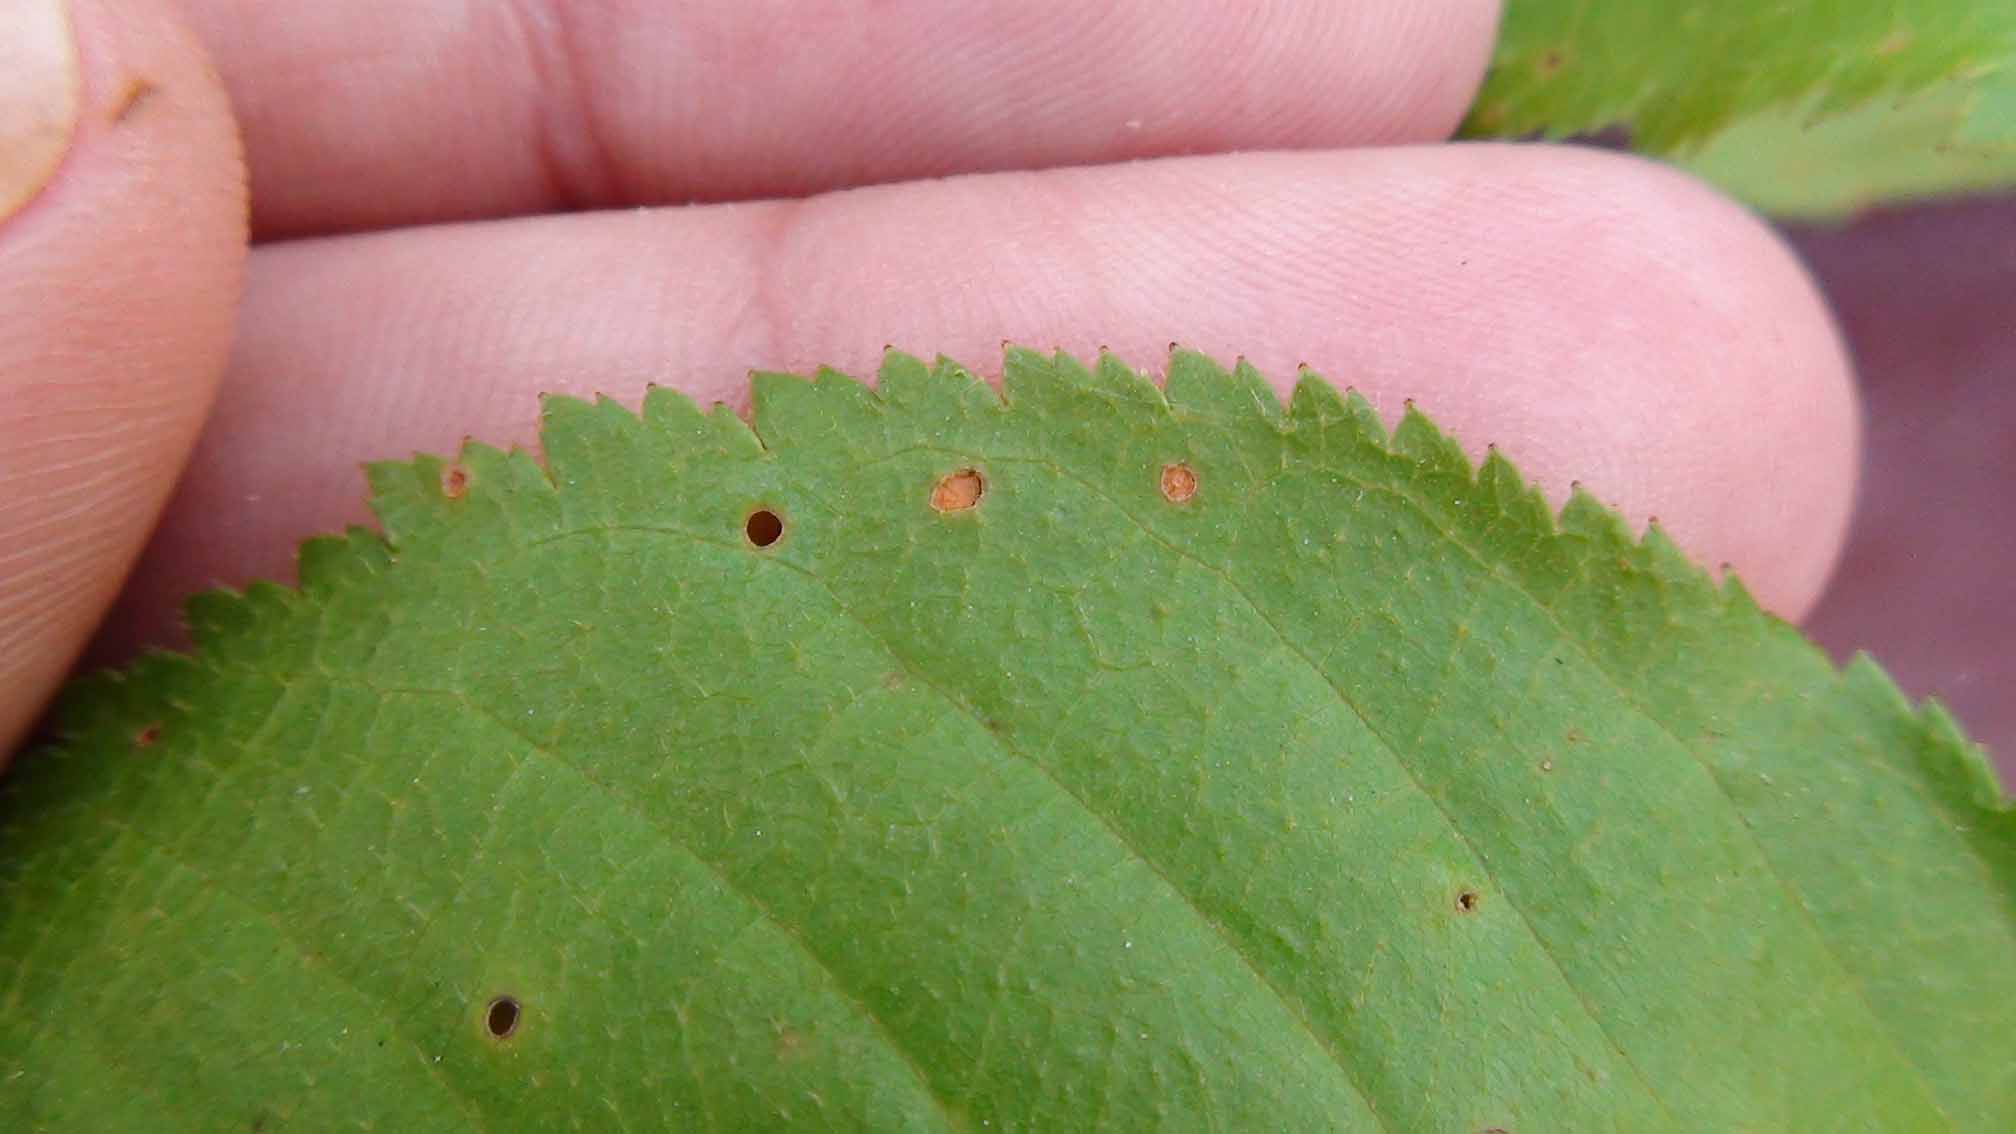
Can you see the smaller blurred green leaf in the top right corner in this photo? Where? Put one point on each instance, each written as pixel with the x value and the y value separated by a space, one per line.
pixel 1807 108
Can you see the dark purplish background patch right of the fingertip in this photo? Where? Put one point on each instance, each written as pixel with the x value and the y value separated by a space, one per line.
pixel 1926 298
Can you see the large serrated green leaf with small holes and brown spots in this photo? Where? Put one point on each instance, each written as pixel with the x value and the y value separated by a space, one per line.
pixel 1086 756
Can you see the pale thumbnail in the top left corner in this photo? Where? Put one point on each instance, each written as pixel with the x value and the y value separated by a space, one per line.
pixel 39 94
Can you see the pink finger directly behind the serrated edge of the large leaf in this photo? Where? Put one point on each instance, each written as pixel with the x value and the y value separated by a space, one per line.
pixel 1598 318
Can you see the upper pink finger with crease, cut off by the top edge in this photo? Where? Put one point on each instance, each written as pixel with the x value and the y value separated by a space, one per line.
pixel 376 114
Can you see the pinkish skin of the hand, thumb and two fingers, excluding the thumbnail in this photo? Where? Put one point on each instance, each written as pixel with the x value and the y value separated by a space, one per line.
pixel 936 177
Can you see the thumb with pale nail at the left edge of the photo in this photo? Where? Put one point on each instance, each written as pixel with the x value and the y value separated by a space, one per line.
pixel 122 249
